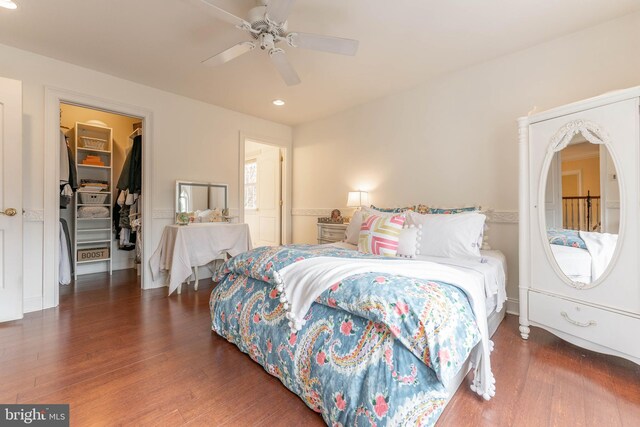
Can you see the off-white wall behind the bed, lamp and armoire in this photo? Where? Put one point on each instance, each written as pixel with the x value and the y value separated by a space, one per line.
pixel 454 140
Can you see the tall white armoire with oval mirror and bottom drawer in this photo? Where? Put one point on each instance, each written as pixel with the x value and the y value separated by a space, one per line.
pixel 582 282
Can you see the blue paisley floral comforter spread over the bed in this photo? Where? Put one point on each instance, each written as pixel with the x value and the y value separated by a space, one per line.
pixel 376 349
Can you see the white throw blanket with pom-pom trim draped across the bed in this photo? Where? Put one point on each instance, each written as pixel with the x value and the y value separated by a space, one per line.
pixel 302 282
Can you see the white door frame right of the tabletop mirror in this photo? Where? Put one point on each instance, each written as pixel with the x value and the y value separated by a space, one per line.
pixel 286 177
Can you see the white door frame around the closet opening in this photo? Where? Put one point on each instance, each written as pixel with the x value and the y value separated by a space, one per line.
pixel 52 98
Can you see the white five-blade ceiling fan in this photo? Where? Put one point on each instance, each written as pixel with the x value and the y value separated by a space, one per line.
pixel 267 25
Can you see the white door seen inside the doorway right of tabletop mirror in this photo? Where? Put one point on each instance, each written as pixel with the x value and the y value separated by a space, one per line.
pixel 269 198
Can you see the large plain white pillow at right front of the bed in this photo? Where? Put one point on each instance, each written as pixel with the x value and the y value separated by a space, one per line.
pixel 450 236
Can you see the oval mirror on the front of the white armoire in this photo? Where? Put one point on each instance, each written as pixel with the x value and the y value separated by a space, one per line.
pixel 582 207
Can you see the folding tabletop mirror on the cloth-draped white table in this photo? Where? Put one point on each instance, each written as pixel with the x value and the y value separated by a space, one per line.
pixel 198 196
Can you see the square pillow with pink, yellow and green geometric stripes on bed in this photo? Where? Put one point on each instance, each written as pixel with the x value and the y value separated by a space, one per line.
pixel 380 235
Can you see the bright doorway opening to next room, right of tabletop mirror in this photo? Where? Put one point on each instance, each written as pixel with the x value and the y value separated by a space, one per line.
pixel 263 198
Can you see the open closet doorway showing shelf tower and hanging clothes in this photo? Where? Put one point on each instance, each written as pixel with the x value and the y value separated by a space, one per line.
pixel 100 189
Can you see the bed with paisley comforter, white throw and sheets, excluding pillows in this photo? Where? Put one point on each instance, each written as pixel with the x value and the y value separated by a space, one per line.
pixel 375 347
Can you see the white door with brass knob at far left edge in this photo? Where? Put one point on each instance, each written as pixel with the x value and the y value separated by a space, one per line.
pixel 10 199
